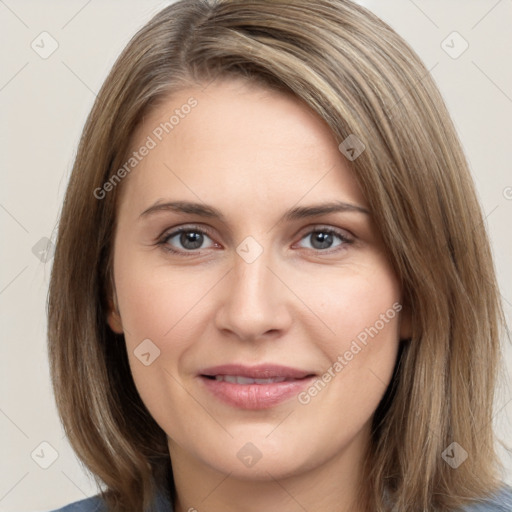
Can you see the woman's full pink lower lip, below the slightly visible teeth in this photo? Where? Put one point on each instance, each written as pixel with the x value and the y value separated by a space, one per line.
pixel 255 396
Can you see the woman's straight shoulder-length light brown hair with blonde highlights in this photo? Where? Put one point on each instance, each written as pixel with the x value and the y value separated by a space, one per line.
pixel 361 78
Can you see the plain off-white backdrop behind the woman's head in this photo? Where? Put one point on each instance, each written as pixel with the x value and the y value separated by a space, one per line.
pixel 44 100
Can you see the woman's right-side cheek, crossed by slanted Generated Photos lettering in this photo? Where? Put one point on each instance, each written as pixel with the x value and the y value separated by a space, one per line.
pixel 362 312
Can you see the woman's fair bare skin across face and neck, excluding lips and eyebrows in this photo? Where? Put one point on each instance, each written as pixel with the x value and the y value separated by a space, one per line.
pixel 254 154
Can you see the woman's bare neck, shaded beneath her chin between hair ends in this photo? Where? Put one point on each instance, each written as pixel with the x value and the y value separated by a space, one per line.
pixel 331 487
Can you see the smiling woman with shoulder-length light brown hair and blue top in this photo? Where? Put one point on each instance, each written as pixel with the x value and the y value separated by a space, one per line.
pixel 272 288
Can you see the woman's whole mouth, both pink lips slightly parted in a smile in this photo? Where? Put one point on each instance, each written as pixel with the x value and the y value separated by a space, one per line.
pixel 254 387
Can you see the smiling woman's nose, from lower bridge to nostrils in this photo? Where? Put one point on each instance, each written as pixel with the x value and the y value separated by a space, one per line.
pixel 254 303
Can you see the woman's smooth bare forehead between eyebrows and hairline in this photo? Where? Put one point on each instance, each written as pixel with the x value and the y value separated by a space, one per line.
pixel 240 145
